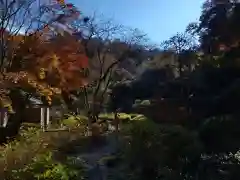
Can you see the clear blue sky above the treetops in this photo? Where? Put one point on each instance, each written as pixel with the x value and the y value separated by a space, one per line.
pixel 160 19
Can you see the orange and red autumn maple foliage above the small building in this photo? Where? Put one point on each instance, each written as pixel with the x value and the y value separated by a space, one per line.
pixel 45 66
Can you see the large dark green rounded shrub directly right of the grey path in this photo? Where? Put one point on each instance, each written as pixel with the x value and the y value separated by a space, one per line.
pixel 155 151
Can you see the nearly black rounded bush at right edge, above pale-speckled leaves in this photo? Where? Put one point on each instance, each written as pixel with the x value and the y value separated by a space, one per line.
pixel 221 134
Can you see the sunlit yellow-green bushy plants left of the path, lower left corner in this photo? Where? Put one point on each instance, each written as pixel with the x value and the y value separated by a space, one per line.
pixel 38 155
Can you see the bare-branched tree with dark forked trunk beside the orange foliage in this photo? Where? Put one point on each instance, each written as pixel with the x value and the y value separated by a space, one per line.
pixel 108 44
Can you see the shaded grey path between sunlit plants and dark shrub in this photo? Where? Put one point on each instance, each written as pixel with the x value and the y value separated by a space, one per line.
pixel 92 153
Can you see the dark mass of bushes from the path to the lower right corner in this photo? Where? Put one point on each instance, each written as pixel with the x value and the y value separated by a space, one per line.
pixel 172 152
